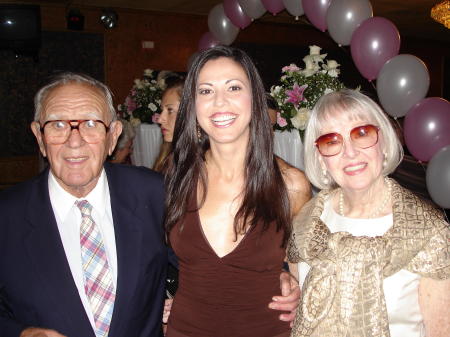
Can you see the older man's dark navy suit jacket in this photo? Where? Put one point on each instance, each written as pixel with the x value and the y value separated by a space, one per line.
pixel 35 279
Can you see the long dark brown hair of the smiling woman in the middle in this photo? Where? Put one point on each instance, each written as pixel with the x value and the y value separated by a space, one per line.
pixel 265 197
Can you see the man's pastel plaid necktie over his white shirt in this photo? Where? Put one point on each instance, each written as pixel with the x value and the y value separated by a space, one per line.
pixel 98 283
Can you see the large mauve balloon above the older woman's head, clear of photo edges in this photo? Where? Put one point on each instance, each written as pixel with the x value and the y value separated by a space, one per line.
pixel 374 42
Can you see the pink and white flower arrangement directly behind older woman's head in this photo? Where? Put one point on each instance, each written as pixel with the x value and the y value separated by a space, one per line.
pixel 300 89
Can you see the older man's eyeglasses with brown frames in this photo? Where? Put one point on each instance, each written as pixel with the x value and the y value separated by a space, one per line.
pixel 58 131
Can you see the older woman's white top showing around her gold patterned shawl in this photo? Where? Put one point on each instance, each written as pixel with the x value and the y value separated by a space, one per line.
pixel 400 289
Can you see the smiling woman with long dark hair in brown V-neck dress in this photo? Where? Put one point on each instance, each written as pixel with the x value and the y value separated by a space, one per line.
pixel 230 203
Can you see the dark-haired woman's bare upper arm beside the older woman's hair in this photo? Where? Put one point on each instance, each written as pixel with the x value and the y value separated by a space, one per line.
pixel 298 186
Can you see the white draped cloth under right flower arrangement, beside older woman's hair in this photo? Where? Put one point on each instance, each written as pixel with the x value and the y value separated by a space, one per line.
pixel 288 146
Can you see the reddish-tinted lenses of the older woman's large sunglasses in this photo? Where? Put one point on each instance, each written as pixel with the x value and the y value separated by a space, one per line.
pixel 363 137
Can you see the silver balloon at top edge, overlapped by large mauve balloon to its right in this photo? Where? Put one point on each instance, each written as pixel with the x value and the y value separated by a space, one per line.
pixel 344 16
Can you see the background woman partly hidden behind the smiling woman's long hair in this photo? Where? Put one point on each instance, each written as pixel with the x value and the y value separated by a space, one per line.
pixel 170 102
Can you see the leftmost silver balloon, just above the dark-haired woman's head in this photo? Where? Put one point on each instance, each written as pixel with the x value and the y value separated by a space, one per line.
pixel 220 26
